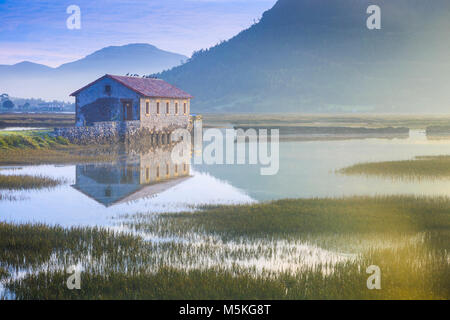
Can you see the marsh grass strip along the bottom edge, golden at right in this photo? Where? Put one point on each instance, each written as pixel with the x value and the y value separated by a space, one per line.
pixel 415 272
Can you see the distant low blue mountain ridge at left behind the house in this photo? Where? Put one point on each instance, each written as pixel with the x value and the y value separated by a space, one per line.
pixel 27 79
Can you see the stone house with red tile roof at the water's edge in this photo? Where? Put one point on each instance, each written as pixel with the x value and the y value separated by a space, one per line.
pixel 122 101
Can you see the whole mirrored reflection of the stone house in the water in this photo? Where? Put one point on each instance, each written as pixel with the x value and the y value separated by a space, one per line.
pixel 140 176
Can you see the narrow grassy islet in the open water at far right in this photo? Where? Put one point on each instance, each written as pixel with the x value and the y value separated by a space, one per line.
pixel 430 167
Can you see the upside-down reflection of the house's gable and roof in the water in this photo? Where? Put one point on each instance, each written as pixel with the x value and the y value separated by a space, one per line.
pixel 140 191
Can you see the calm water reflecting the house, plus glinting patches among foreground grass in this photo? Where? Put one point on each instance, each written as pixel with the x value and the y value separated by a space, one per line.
pixel 149 183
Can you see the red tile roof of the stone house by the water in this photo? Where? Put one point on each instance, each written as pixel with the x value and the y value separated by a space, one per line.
pixel 149 87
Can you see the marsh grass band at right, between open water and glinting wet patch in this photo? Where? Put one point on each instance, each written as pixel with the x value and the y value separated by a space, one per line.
pixel 383 214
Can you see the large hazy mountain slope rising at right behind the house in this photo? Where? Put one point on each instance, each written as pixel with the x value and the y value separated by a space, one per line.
pixel 319 56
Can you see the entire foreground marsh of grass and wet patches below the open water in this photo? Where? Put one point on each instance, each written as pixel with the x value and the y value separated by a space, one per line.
pixel 407 237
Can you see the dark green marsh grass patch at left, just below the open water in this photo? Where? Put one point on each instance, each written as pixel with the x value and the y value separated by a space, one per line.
pixel 29 245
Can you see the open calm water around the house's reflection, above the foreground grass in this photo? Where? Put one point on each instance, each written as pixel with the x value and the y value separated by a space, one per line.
pixel 94 194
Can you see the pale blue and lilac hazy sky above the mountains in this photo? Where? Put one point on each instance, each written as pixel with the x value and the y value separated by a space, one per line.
pixel 35 30
